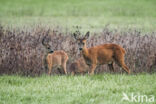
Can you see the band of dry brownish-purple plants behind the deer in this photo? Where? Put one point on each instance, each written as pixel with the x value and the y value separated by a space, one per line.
pixel 21 51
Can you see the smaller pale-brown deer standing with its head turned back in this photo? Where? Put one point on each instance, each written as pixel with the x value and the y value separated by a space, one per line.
pixel 55 58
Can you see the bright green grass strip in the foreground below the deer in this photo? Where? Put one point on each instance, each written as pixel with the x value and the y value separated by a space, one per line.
pixel 97 89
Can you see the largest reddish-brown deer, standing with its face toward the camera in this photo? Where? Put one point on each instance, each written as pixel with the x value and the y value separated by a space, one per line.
pixel 101 54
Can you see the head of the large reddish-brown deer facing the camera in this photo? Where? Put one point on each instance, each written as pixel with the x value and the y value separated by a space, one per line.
pixel 81 41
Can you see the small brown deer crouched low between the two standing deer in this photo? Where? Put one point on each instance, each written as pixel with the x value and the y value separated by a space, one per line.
pixel 79 66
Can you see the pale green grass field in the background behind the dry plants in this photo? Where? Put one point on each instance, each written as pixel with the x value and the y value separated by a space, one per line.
pixel 90 14
